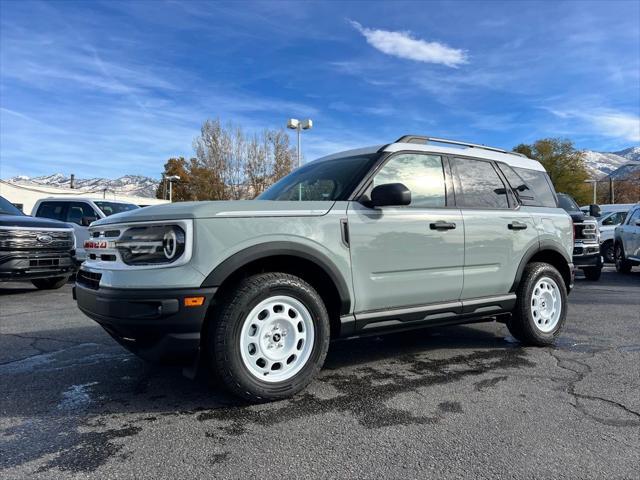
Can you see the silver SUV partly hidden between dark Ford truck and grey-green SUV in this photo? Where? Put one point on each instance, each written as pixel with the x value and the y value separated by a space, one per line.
pixel 80 213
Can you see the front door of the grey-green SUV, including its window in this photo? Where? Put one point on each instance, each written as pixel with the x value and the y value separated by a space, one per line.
pixel 409 255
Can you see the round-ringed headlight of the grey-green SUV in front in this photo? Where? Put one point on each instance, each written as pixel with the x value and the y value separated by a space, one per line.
pixel 151 245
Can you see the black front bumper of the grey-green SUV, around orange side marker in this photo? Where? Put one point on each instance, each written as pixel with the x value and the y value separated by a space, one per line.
pixel 154 324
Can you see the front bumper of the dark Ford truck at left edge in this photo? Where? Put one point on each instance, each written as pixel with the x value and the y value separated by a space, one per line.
pixel 28 264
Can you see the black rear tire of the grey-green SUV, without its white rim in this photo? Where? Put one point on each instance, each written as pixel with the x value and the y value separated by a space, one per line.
pixel 522 324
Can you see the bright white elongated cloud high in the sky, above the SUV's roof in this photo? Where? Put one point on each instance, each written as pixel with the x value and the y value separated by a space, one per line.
pixel 404 45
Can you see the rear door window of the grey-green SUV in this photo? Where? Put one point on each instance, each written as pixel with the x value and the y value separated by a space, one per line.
pixel 478 184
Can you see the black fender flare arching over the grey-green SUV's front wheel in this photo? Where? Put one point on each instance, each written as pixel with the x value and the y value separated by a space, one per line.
pixel 277 248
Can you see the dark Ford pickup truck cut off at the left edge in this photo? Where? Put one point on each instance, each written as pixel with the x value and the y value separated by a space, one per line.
pixel 35 249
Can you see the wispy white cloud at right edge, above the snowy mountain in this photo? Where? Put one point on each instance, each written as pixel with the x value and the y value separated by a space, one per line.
pixel 606 122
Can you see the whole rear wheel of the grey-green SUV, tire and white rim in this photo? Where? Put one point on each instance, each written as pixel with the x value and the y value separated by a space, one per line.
pixel 541 306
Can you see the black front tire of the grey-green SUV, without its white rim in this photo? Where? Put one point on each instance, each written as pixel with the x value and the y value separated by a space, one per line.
pixel 223 341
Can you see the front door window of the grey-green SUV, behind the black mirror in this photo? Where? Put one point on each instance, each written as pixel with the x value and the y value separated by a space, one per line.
pixel 421 174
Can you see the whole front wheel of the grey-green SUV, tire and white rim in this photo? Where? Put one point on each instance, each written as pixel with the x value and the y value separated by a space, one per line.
pixel 270 338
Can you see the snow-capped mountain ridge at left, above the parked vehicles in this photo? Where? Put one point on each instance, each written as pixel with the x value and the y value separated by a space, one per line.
pixel 135 185
